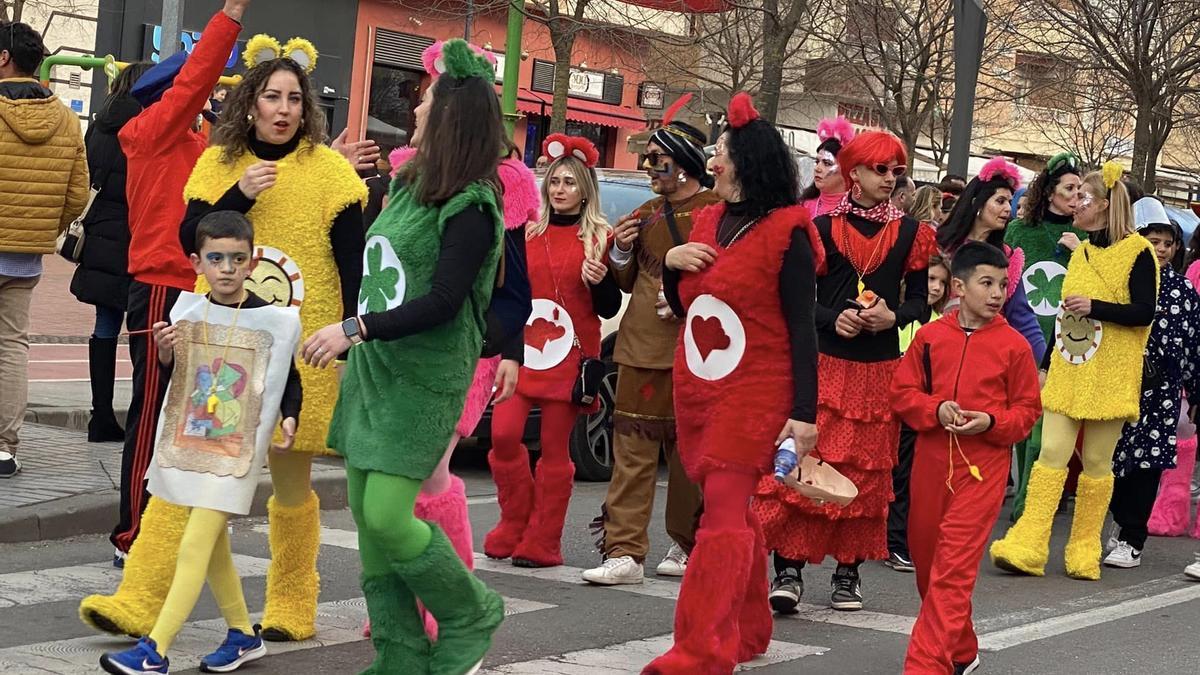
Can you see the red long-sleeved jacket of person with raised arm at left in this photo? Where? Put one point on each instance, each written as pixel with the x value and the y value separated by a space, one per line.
pixel 161 150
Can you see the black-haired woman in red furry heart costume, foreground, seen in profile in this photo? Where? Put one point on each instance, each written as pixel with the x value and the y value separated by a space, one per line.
pixel 746 381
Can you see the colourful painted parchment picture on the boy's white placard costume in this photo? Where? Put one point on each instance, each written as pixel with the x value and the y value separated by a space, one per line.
pixel 212 415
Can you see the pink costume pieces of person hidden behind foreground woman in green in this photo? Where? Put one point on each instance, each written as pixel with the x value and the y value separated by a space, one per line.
pixel 443 499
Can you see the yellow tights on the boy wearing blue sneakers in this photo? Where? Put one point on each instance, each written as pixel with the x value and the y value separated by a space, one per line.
pixel 203 552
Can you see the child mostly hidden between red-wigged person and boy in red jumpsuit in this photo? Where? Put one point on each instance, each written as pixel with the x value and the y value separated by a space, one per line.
pixel 898 512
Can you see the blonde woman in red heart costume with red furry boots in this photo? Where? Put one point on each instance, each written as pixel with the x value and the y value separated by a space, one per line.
pixel 571 288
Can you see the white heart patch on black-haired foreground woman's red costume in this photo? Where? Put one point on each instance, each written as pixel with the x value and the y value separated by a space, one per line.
pixel 715 339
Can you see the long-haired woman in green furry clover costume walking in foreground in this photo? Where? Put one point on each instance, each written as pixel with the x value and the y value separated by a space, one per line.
pixel 430 268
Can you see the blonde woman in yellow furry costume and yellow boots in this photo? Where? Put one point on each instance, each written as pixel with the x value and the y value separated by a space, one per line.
pixel 1109 297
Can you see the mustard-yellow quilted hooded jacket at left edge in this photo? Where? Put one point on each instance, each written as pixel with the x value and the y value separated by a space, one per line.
pixel 44 172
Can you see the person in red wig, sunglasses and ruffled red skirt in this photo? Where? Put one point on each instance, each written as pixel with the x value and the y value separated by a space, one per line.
pixel 873 249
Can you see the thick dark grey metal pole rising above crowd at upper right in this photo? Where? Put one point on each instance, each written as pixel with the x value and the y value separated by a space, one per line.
pixel 970 27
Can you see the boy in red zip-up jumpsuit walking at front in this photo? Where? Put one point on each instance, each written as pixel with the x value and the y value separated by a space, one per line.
pixel 969 387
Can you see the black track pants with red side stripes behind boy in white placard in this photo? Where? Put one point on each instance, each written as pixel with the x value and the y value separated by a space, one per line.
pixel 148 306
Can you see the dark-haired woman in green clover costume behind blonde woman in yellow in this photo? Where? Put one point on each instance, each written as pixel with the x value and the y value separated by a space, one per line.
pixel 1047 236
